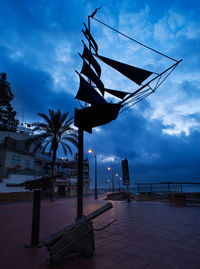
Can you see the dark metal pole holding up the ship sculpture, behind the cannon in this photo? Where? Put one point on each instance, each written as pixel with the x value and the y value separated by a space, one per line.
pixel 80 175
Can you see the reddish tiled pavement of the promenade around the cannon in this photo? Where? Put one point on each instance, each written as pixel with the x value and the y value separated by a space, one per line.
pixel 145 235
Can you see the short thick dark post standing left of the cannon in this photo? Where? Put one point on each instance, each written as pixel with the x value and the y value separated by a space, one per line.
pixel 36 218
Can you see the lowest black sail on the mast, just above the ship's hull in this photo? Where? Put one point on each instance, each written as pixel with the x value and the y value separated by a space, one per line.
pixel 88 94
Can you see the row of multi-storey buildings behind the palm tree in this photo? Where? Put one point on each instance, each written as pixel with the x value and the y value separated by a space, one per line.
pixel 18 160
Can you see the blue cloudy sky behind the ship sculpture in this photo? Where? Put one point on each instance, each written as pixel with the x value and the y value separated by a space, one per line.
pixel 160 136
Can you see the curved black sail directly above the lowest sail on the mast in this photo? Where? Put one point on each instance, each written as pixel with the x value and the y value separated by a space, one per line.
pixel 88 72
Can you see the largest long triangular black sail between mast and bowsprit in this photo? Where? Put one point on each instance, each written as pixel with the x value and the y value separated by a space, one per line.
pixel 136 74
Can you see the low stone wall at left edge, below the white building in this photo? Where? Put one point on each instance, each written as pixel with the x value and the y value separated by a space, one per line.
pixel 15 197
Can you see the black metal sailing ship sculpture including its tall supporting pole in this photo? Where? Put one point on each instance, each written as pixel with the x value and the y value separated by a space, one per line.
pixel 91 91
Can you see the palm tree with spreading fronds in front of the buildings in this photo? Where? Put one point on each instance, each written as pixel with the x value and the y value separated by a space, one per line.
pixel 56 130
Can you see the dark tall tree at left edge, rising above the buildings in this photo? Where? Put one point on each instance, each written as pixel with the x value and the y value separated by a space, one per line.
pixel 7 114
